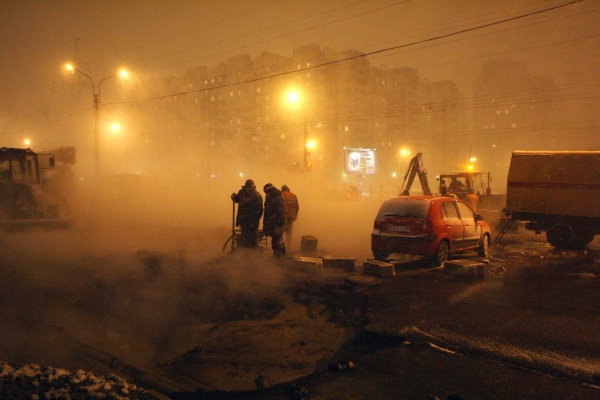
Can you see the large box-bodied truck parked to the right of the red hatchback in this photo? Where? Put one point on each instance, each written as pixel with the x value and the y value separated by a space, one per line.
pixel 557 192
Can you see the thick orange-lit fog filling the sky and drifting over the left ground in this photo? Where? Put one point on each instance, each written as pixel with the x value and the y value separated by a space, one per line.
pixel 204 108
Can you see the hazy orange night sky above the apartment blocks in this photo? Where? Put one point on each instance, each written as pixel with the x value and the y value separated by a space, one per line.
pixel 441 39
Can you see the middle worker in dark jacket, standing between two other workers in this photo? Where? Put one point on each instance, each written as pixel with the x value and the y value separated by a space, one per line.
pixel 274 223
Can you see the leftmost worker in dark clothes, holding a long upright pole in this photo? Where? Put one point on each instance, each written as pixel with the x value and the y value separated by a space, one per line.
pixel 250 210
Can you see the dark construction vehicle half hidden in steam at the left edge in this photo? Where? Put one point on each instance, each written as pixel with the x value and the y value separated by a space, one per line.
pixel 23 201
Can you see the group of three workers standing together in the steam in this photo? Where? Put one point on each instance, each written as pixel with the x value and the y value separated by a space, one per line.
pixel 279 212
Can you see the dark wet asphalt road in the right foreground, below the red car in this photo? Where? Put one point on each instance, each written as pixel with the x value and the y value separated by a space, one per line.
pixel 529 329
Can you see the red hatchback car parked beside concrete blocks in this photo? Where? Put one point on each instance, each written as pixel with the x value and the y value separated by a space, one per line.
pixel 433 226
